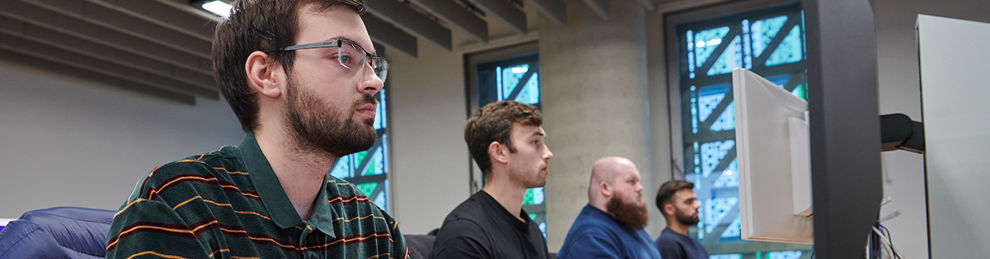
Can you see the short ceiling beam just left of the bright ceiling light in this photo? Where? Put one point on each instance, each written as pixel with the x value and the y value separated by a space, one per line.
pixel 166 15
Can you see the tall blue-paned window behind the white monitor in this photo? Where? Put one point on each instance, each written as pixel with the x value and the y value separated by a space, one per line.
pixel 770 42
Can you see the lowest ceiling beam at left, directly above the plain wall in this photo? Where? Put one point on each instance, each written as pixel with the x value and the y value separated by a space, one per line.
pixel 99 78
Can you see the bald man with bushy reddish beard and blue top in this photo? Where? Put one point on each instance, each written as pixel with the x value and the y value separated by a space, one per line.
pixel 611 225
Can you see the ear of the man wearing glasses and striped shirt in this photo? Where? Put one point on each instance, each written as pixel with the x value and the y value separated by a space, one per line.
pixel 264 75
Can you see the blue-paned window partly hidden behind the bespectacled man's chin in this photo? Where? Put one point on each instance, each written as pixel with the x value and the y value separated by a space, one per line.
pixel 368 170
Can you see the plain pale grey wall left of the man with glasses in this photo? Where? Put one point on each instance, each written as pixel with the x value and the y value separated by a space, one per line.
pixel 68 142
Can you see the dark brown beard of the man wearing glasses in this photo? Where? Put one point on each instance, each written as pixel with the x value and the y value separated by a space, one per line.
pixel 317 127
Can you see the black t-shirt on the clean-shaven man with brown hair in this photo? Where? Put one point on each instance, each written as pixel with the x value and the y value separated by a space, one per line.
pixel 481 228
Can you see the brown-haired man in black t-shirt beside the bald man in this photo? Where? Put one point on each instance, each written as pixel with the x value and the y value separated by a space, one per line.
pixel 506 140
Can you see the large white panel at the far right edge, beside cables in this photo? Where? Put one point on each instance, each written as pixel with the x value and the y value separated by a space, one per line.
pixel 955 87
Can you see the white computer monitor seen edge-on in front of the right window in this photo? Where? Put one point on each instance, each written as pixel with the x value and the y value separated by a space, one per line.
pixel 773 156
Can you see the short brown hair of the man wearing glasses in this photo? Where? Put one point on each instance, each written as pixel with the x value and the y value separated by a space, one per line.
pixel 254 25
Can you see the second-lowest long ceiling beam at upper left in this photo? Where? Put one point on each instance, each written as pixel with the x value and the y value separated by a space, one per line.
pixel 99 51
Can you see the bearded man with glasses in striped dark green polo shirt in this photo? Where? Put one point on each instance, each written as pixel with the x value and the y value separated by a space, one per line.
pixel 301 76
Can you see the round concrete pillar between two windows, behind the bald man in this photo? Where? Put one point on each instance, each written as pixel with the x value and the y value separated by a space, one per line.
pixel 596 102
